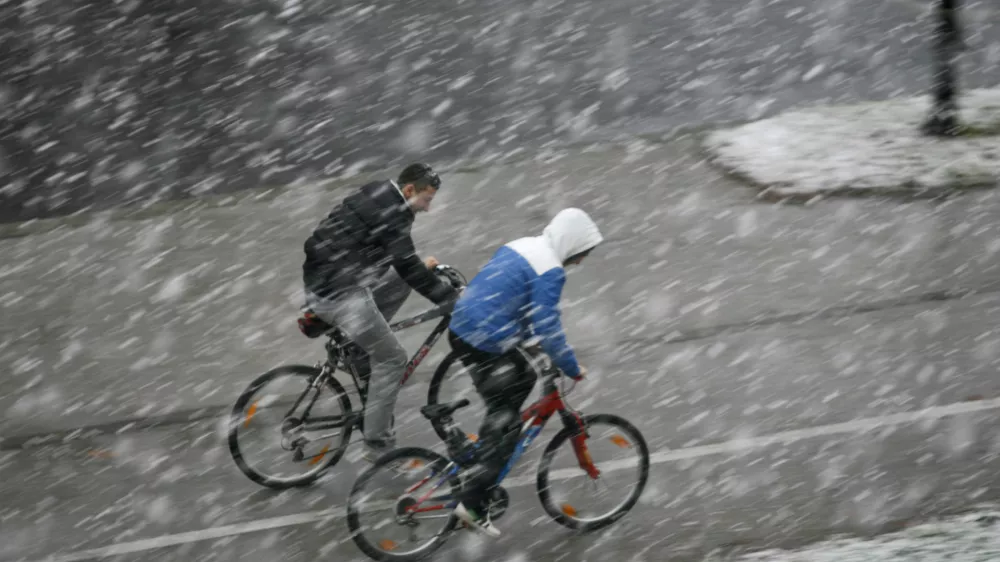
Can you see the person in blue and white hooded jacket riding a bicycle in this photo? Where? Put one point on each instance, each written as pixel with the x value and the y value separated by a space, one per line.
pixel 514 297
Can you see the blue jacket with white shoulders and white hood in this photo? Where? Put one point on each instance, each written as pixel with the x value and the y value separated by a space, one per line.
pixel 516 294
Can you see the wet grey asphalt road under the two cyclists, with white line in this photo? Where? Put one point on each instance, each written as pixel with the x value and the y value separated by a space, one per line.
pixel 729 331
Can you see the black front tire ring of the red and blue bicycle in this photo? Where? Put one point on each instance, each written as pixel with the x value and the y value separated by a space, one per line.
pixel 545 462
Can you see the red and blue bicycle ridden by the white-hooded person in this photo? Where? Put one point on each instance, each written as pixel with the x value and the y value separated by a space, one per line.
pixel 417 504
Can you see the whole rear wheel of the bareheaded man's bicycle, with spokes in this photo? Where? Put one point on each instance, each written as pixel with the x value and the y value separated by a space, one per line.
pixel 266 426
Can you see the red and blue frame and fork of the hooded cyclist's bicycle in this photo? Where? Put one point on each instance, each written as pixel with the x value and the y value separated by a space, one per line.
pixel 533 419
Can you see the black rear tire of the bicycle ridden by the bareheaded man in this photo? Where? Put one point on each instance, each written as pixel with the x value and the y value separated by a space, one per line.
pixel 241 403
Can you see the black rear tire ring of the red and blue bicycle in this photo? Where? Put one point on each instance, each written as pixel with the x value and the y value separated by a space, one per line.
pixel 353 519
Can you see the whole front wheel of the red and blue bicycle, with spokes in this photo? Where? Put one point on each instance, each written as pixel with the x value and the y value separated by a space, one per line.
pixel 585 501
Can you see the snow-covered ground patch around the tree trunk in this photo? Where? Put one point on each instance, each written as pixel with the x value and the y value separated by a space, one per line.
pixel 868 147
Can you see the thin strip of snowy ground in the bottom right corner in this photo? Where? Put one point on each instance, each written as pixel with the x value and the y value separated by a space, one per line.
pixel 973 537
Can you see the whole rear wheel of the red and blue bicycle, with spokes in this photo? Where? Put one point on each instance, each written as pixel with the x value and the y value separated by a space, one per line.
pixel 405 492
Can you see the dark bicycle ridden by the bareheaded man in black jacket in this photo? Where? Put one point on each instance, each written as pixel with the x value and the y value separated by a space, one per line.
pixel 318 453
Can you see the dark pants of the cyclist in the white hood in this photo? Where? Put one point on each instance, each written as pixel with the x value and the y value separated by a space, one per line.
pixel 504 382
